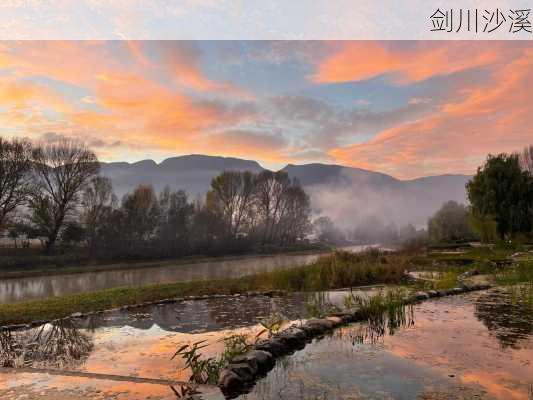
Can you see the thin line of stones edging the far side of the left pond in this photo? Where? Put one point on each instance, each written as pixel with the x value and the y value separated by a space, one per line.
pixel 79 315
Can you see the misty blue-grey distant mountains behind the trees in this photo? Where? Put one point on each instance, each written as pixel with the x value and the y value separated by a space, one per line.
pixel 349 195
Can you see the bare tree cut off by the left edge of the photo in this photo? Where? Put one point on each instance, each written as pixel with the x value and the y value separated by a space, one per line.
pixel 15 175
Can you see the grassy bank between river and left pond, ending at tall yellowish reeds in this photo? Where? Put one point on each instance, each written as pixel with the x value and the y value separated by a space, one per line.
pixel 340 269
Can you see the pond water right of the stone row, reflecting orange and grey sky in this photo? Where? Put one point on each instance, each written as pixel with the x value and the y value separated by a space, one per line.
pixel 447 354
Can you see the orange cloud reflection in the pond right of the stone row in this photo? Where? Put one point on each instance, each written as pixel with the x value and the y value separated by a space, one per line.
pixel 449 338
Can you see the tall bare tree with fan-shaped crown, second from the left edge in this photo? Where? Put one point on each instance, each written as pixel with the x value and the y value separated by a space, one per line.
pixel 61 172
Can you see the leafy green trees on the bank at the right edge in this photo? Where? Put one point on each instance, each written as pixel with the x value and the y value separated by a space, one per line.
pixel 501 203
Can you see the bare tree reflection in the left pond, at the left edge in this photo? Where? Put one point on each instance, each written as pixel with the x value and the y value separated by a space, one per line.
pixel 51 345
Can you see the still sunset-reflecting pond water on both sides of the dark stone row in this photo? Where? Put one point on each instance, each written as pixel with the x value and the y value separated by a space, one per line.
pixel 474 346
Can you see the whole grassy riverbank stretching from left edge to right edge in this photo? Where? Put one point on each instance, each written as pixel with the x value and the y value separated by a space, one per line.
pixel 338 270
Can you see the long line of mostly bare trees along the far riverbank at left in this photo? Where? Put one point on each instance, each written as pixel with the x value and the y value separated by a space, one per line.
pixel 54 192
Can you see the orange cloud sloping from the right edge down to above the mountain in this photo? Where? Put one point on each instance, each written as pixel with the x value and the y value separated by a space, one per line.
pixel 486 118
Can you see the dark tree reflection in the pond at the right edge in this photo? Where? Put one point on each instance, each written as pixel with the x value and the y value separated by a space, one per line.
pixel 509 321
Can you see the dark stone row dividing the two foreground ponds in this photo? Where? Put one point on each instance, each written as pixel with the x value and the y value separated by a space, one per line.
pixel 244 370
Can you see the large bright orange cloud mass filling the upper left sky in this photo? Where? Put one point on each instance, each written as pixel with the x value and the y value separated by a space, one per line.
pixel 128 99
